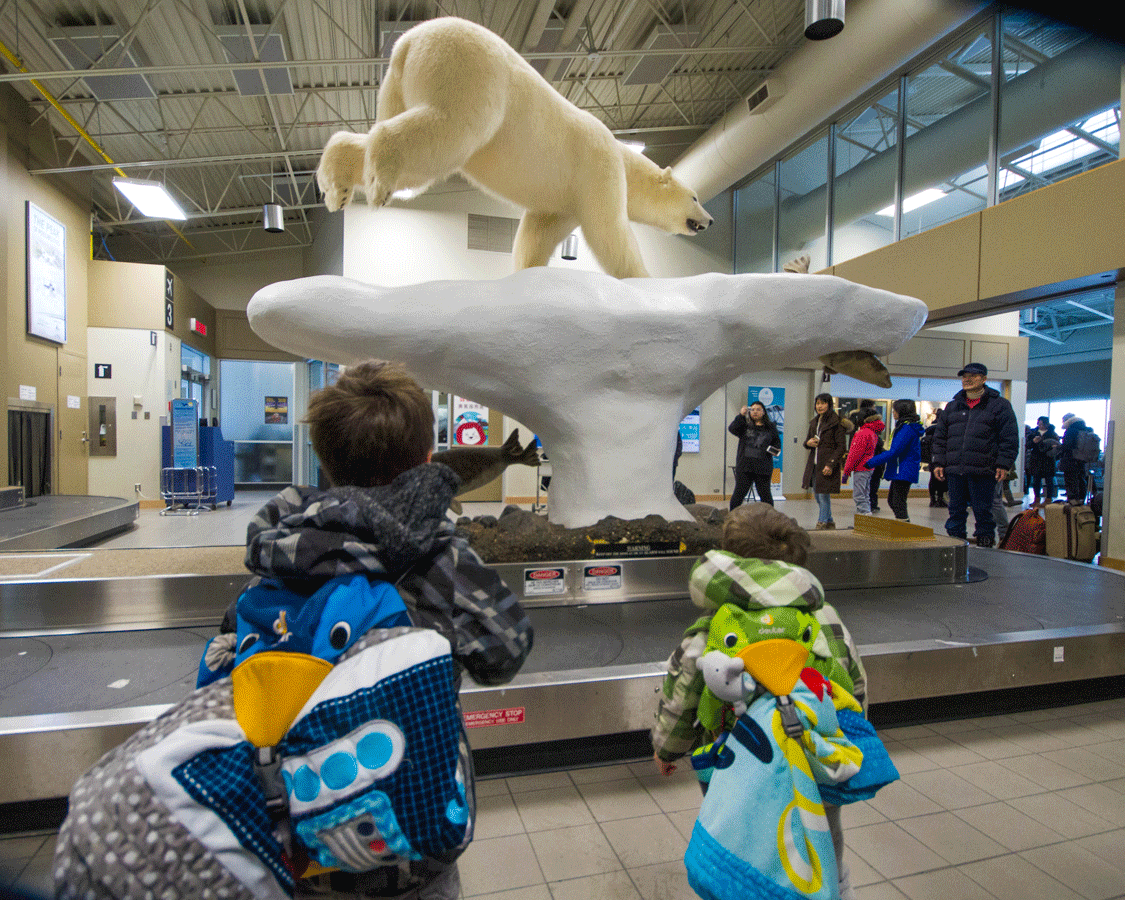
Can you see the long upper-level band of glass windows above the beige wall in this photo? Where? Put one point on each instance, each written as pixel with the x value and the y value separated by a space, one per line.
pixel 1058 114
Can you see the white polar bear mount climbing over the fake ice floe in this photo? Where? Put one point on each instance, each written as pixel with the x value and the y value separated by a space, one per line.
pixel 456 98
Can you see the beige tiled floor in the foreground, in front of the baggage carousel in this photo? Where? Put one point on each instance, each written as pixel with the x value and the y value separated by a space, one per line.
pixel 1023 807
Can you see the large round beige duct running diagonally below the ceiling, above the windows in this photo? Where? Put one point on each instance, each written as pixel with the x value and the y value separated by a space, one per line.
pixel 821 78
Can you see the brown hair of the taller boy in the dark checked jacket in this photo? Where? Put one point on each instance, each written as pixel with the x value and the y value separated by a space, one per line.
pixel 372 426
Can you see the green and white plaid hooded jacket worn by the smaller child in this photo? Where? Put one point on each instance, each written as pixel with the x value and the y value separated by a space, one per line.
pixel 722 578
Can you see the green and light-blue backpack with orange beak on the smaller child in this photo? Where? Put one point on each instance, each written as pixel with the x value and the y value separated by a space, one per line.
pixel 762 830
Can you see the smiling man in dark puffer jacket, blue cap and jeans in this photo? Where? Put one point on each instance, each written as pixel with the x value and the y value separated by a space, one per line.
pixel 976 445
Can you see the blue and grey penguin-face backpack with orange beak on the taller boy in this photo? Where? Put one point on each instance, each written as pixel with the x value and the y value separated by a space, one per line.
pixel 336 744
